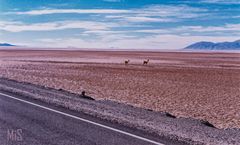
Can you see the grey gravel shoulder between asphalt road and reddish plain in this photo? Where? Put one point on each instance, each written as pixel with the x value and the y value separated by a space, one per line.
pixel 189 130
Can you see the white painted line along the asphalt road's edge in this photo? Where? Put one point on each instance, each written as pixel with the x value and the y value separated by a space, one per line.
pixel 85 120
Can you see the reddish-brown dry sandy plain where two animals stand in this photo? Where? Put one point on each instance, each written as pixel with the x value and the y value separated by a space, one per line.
pixel 186 84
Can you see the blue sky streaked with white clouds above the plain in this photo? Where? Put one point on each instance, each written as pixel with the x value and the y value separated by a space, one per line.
pixel 130 24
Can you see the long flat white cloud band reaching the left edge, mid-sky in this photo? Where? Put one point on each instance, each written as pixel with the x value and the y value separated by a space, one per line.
pixel 59 25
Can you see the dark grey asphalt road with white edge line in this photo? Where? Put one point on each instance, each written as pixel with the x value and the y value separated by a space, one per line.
pixel 25 121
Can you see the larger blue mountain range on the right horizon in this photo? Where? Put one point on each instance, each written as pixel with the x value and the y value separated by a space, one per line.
pixel 214 46
